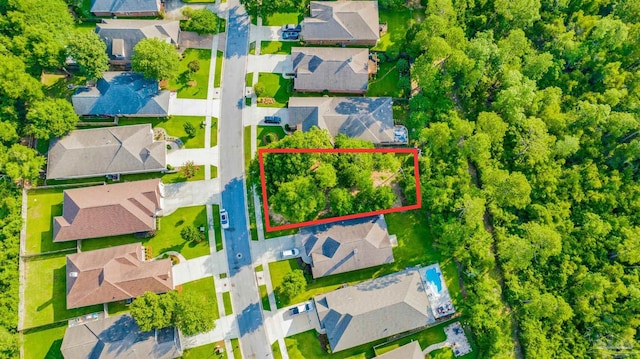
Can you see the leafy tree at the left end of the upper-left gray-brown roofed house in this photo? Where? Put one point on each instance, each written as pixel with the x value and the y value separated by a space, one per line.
pixel 89 52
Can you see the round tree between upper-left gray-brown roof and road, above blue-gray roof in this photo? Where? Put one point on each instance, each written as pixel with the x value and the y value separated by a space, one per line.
pixel 155 59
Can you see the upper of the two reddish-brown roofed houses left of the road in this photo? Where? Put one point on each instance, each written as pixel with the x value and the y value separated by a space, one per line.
pixel 109 210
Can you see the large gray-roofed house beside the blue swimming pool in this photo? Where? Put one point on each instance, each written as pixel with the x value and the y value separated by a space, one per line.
pixel 374 309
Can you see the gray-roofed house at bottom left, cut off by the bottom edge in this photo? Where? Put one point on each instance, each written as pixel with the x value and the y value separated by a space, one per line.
pixel 119 337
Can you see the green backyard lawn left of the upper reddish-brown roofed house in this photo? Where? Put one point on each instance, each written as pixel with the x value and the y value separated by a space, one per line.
pixel 42 206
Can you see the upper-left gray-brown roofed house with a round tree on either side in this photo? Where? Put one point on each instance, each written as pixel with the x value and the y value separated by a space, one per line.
pixel 121 36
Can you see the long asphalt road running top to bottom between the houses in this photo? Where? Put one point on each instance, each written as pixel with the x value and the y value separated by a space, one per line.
pixel 244 287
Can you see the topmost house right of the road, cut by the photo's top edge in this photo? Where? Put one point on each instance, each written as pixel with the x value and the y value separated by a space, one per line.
pixel 342 22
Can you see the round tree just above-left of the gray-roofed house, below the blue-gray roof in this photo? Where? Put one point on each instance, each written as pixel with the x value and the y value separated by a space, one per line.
pixel 51 118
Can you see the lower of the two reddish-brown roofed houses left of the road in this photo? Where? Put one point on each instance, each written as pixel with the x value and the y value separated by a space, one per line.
pixel 112 274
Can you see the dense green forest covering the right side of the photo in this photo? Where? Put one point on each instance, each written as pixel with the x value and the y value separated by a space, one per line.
pixel 528 123
